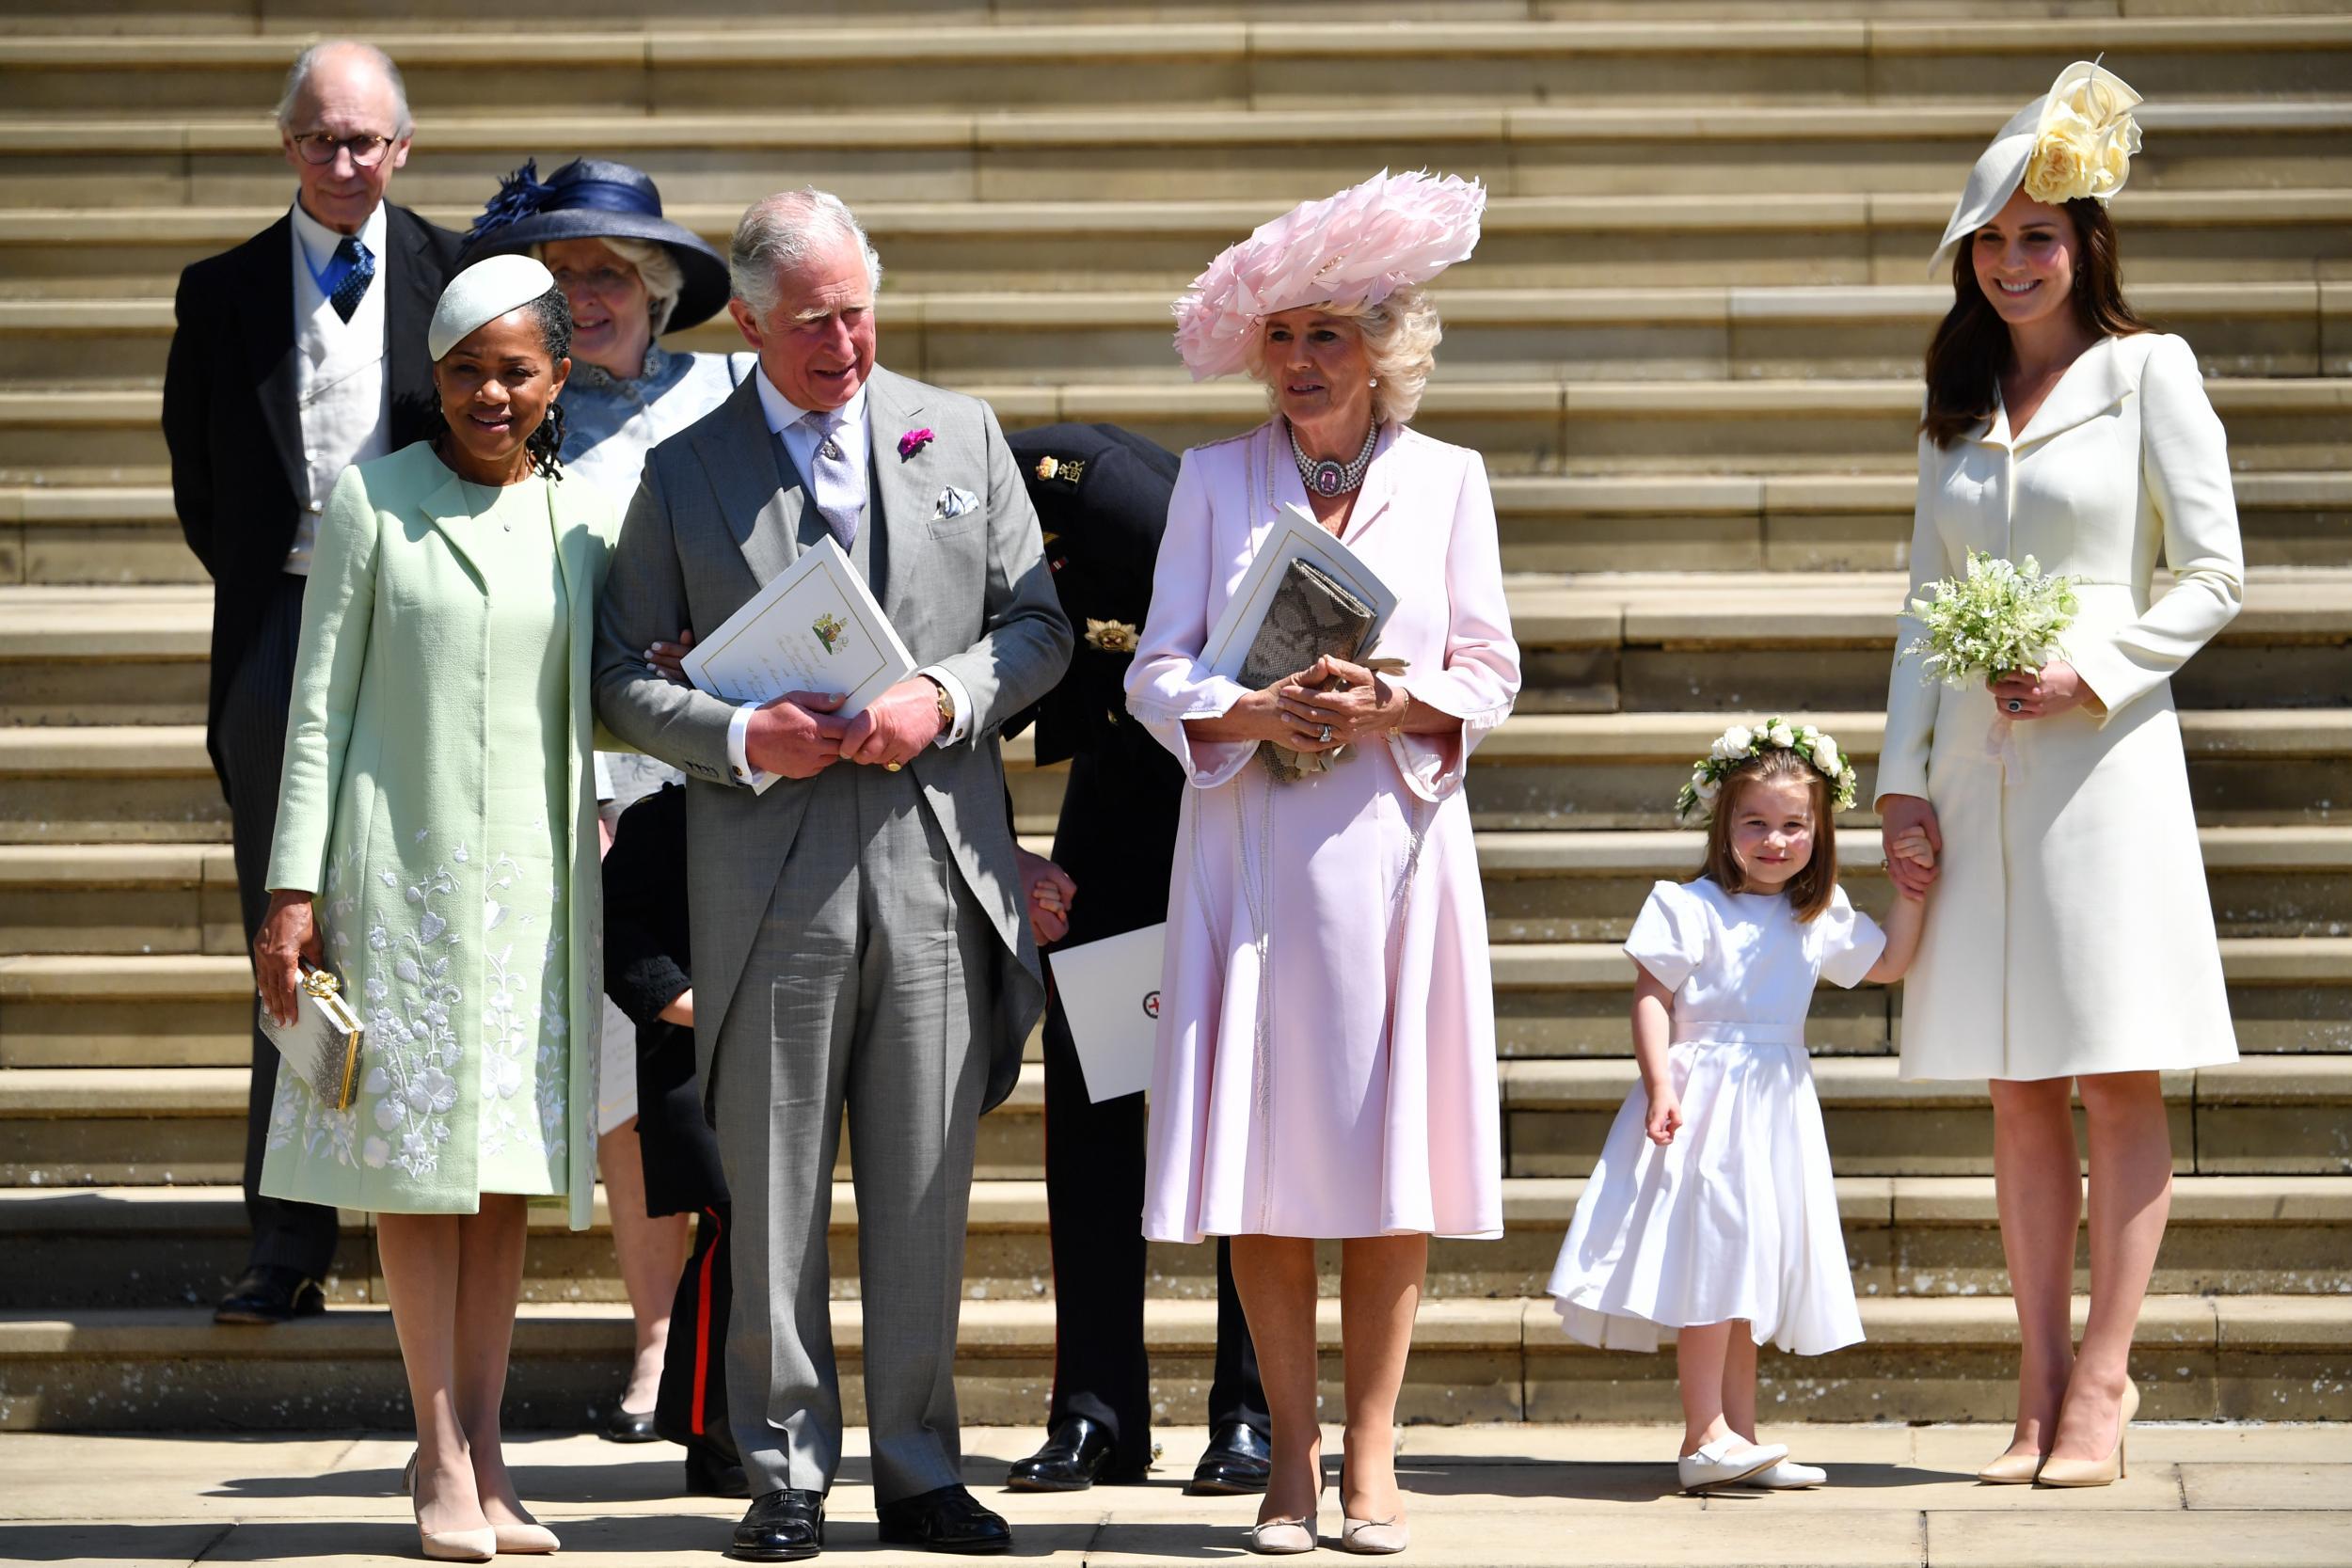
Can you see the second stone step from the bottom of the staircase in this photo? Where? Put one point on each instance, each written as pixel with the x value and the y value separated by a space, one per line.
pixel 1909 1238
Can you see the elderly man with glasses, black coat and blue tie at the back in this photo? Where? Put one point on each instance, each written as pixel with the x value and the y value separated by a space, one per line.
pixel 298 354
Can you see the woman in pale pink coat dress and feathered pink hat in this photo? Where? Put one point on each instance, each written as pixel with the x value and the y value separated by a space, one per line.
pixel 1328 1019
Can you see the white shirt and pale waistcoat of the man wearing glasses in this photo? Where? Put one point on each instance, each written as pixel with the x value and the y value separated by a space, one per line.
pixel 342 394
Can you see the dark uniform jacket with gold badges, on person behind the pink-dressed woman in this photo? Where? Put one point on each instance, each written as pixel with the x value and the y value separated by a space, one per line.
pixel 1102 540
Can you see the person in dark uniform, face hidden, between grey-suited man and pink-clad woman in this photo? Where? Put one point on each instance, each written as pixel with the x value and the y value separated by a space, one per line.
pixel 1102 497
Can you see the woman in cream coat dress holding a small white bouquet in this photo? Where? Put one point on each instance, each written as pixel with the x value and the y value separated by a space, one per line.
pixel 2073 939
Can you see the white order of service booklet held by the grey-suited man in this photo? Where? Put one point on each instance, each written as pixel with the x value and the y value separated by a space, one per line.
pixel 815 626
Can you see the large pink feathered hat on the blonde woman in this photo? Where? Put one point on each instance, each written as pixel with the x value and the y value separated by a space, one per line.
pixel 1347 250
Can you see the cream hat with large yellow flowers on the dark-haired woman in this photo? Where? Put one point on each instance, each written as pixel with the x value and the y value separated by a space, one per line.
pixel 2076 140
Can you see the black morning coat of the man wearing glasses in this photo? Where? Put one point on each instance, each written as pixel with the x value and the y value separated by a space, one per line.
pixel 232 420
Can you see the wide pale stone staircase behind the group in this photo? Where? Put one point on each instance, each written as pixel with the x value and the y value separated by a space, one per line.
pixel 1688 349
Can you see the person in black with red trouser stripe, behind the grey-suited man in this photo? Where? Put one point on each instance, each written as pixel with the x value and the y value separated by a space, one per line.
pixel 648 974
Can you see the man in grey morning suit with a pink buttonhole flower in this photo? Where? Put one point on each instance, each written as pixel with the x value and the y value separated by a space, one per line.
pixel 857 927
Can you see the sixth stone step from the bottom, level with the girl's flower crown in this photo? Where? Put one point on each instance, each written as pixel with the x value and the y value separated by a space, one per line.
pixel 1619 770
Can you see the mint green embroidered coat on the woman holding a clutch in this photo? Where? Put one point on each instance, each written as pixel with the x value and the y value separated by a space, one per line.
pixel 385 812
